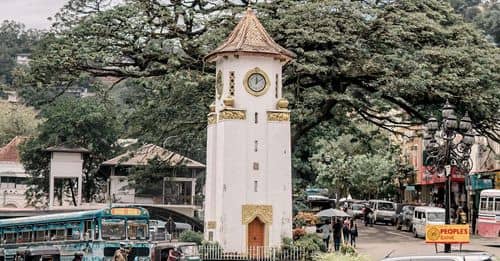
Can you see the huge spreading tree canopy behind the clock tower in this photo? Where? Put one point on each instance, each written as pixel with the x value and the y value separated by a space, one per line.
pixel 392 63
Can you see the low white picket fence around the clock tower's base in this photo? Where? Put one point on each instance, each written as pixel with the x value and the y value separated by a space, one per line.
pixel 215 253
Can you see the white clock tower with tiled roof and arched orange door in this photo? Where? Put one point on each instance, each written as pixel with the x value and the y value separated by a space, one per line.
pixel 248 193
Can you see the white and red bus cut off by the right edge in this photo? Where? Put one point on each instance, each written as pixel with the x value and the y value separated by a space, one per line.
pixel 488 221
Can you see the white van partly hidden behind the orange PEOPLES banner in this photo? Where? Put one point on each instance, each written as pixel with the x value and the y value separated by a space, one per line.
pixel 426 215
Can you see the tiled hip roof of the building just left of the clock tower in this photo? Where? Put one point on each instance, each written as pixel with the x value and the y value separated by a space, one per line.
pixel 144 154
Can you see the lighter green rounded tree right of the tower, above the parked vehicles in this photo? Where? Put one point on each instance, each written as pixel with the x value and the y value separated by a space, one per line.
pixel 362 165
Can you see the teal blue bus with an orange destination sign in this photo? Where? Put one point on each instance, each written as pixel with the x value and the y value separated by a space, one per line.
pixel 95 235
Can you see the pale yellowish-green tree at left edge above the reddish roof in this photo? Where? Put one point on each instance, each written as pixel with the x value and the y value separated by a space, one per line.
pixel 16 120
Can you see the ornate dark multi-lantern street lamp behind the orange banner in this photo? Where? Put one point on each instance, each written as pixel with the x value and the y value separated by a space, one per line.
pixel 444 149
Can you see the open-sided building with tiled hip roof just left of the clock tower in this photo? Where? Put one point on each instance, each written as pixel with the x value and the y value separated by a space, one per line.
pixel 176 188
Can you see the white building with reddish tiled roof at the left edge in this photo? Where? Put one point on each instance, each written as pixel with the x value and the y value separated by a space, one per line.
pixel 13 177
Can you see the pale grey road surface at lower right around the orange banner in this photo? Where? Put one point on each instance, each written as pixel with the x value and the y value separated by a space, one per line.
pixel 377 241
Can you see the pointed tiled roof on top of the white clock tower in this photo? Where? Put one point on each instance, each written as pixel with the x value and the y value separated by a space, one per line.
pixel 250 37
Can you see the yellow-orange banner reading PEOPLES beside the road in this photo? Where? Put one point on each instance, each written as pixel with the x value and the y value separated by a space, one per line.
pixel 450 234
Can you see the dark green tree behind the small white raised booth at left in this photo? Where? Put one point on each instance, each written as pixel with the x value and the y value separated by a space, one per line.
pixel 70 122
